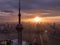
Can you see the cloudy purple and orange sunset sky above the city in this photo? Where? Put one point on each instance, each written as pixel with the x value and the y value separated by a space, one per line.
pixel 48 9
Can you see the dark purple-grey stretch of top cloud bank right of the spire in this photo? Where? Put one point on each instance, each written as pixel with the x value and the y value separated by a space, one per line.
pixel 39 4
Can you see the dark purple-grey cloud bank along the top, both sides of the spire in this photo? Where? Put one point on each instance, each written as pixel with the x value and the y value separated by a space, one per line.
pixel 29 4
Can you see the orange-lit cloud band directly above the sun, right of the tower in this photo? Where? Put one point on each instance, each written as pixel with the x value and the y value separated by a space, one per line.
pixel 41 13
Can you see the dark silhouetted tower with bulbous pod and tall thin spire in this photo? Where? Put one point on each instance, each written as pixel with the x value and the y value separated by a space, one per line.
pixel 19 27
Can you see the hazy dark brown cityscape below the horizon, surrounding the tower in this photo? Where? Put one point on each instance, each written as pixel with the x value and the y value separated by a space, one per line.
pixel 33 34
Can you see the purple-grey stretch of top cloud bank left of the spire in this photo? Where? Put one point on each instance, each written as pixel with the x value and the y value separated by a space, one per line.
pixel 8 4
